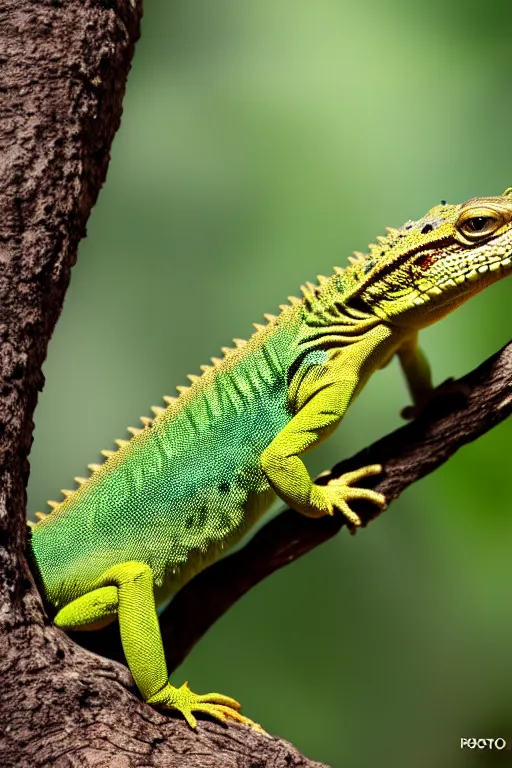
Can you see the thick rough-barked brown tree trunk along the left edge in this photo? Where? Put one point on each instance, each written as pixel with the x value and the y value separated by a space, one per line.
pixel 63 69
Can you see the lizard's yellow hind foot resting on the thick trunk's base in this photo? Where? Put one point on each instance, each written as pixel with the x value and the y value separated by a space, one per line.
pixel 216 705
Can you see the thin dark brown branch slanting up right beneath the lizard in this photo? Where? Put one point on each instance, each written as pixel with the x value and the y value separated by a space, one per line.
pixel 479 401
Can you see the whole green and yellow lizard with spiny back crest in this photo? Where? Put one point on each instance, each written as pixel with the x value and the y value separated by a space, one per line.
pixel 189 484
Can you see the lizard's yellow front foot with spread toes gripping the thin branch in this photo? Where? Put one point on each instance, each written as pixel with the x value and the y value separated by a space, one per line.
pixel 339 493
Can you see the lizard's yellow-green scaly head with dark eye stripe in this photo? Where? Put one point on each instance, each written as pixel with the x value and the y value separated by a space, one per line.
pixel 425 269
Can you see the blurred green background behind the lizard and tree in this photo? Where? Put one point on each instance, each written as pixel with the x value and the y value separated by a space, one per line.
pixel 261 143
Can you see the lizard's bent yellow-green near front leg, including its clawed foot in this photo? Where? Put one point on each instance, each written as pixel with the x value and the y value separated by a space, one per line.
pixel 286 472
